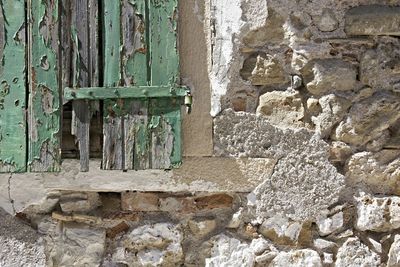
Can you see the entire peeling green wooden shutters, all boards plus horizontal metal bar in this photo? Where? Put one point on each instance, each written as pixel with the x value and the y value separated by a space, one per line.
pixel 130 63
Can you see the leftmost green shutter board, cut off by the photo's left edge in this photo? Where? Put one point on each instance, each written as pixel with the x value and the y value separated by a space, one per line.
pixel 12 86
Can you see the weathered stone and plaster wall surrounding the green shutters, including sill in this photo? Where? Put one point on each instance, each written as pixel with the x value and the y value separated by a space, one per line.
pixel 298 165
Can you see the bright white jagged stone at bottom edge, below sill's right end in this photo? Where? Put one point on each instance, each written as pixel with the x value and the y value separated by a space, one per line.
pixel 228 251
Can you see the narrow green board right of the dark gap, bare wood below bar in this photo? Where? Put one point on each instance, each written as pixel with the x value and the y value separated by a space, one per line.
pixel 113 152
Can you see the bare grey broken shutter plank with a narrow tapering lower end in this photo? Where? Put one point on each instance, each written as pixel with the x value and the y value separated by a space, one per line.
pixel 81 113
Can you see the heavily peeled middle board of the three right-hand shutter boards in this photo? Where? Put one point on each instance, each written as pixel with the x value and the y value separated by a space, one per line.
pixel 135 71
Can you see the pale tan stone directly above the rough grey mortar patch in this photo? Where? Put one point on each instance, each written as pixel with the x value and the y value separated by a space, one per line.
pixel 283 108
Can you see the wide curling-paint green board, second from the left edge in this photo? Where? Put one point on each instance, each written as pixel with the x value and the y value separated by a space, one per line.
pixel 44 100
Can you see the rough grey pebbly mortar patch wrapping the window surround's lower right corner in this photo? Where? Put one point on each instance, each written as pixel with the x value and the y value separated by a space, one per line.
pixel 300 154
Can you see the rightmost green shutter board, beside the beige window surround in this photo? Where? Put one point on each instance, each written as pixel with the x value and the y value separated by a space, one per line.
pixel 165 120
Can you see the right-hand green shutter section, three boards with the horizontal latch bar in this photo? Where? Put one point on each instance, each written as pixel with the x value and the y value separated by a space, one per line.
pixel 142 102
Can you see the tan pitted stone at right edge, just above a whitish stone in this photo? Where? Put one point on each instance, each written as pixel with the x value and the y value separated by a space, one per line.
pixel 380 171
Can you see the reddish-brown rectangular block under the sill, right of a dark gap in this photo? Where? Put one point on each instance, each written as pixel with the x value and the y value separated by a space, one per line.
pixel 136 201
